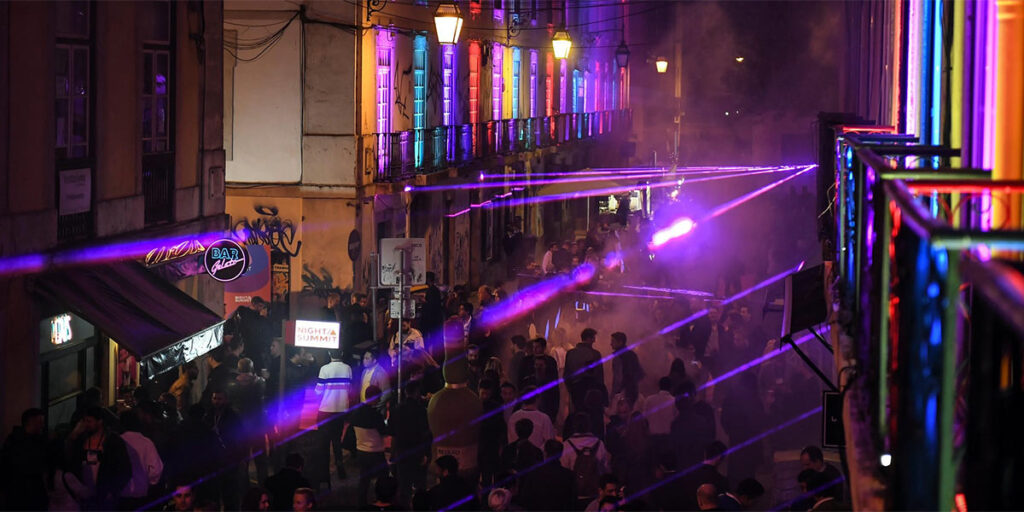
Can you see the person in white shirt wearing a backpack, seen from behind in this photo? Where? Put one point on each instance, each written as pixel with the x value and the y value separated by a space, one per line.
pixel 585 454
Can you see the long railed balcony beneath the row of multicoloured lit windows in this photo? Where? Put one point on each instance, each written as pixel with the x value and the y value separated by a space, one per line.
pixel 403 155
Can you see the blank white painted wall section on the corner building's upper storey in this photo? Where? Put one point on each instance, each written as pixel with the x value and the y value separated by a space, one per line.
pixel 266 100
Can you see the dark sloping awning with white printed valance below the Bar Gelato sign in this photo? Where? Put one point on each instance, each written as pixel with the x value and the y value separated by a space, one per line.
pixel 158 324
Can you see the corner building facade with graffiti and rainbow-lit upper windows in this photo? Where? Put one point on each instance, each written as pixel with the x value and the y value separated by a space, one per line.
pixel 345 126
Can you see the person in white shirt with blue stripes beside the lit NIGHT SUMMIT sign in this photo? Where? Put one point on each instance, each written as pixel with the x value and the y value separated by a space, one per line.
pixel 334 387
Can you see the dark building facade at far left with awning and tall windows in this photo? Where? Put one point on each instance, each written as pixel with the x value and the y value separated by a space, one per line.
pixel 122 160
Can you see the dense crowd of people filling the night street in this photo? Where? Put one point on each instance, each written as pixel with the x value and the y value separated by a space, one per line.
pixel 578 414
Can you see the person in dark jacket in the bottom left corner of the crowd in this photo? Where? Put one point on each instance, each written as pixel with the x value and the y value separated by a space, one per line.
pixel 23 465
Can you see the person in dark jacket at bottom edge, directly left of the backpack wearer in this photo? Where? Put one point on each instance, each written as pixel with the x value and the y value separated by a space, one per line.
pixel 550 487
